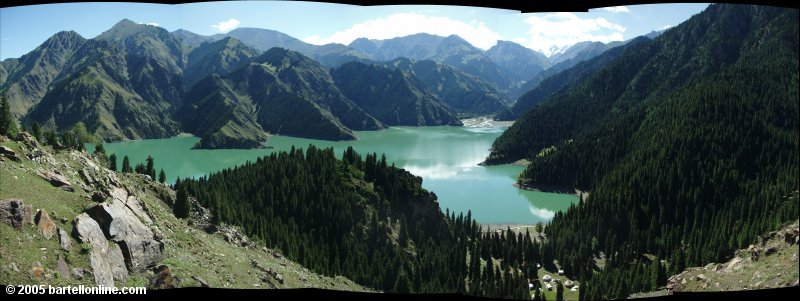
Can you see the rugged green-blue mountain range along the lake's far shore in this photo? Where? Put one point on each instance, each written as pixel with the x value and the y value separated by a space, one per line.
pixel 137 81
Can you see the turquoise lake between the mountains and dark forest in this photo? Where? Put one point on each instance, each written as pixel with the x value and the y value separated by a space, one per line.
pixel 445 157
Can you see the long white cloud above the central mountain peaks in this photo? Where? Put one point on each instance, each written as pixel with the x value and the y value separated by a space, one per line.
pixel 403 24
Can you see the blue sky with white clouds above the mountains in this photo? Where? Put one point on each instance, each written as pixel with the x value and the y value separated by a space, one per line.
pixel 23 28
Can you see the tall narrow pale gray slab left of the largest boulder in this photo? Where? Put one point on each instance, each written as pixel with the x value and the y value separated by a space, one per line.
pixel 87 230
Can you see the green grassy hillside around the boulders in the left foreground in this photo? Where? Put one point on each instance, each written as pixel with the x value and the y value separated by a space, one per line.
pixel 188 251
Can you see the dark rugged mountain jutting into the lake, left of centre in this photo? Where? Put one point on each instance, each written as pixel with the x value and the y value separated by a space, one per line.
pixel 281 92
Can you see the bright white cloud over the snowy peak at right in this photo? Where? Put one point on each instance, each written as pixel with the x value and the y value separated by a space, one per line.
pixel 553 31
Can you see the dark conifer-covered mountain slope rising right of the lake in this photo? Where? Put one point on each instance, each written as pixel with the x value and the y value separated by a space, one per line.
pixel 676 141
